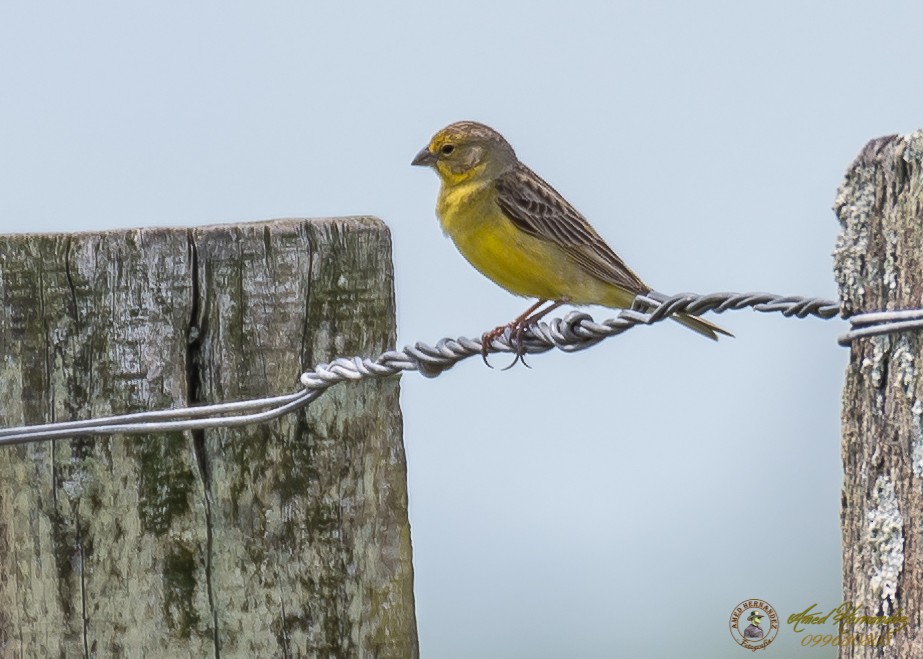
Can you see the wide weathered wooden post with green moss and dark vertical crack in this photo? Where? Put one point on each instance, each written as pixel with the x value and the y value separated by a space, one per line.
pixel 284 539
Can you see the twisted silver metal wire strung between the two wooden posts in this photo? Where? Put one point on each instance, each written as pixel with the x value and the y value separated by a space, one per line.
pixel 575 331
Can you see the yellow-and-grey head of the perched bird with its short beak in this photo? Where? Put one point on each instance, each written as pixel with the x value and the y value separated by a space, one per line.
pixel 467 151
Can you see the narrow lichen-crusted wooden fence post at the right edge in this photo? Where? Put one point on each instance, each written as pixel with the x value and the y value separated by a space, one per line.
pixel 879 266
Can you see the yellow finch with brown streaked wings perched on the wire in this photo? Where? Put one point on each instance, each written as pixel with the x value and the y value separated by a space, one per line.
pixel 518 231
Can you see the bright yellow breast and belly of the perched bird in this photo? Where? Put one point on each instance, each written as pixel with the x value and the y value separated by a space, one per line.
pixel 521 263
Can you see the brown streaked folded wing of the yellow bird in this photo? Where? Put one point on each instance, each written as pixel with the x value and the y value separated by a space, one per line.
pixel 537 209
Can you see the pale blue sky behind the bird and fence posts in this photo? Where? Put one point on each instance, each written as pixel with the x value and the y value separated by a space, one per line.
pixel 618 502
